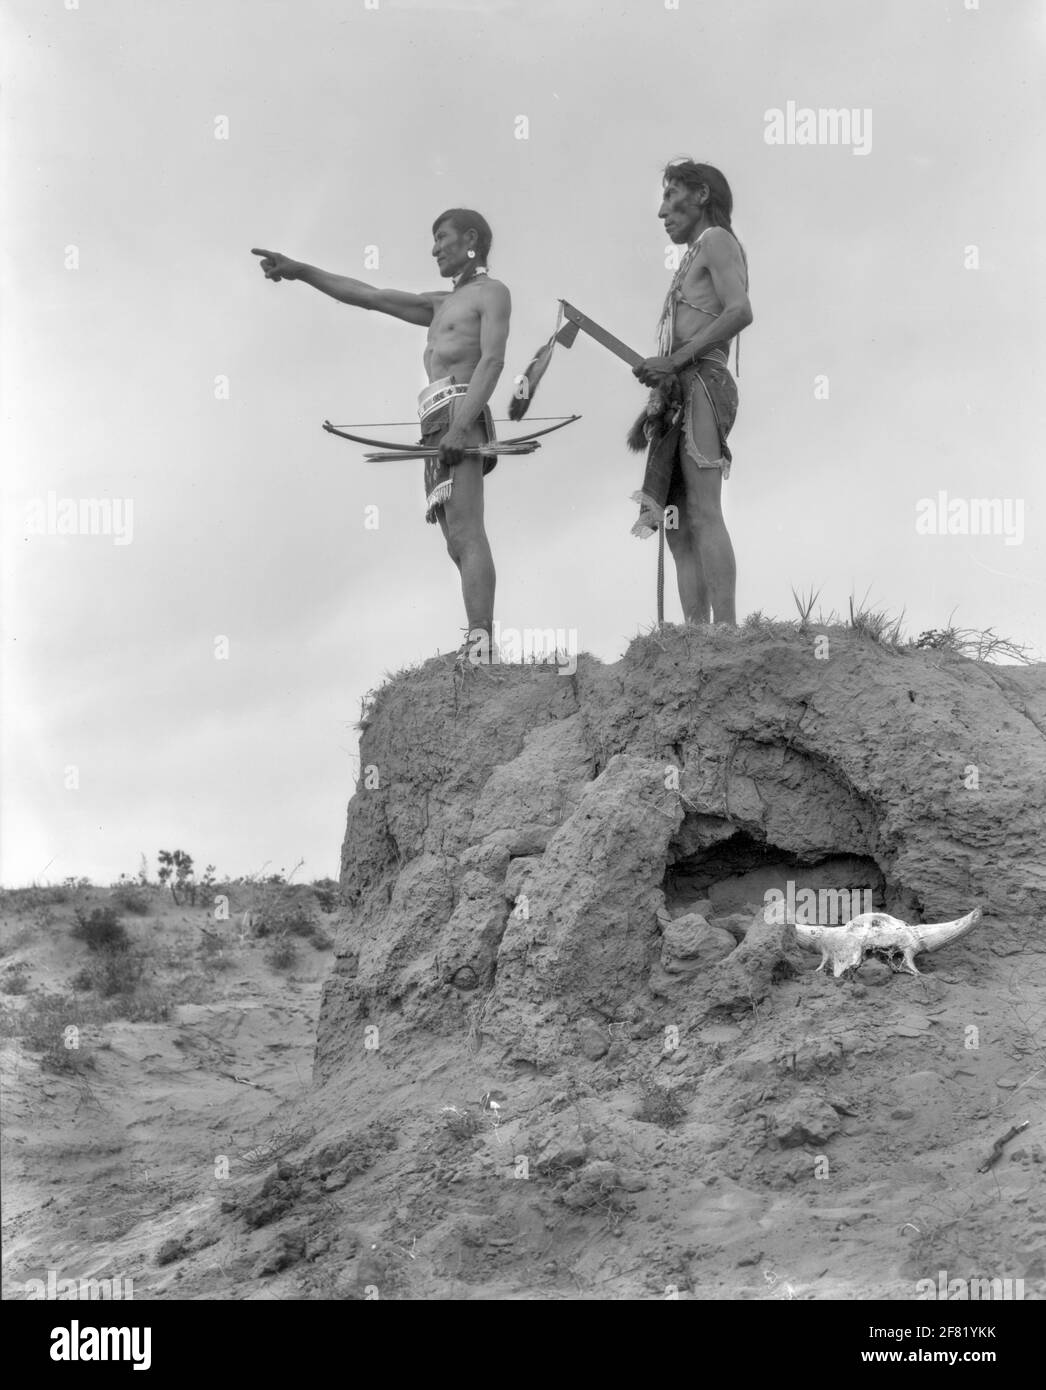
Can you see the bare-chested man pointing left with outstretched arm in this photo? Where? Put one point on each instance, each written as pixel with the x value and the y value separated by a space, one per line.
pixel 465 355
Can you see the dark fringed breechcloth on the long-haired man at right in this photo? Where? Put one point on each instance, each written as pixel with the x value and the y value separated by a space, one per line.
pixel 669 426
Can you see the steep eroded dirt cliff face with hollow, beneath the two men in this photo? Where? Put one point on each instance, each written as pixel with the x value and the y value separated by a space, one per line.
pixel 517 831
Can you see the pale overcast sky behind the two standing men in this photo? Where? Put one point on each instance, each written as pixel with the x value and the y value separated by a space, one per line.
pixel 148 147
